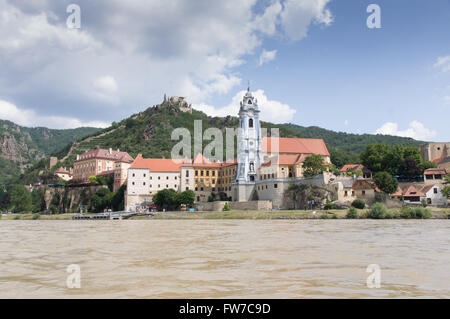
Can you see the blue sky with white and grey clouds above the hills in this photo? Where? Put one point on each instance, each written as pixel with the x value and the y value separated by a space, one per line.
pixel 309 62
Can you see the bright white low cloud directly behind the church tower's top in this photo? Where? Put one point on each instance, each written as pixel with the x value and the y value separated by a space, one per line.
pixel 271 110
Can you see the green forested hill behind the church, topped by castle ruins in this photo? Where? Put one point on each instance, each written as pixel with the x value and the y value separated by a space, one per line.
pixel 149 132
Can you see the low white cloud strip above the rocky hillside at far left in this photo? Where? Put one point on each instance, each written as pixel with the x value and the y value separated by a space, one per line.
pixel 29 118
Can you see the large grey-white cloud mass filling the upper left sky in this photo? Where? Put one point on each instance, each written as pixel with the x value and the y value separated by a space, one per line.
pixel 139 49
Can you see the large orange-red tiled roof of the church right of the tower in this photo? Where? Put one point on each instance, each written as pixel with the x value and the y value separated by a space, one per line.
pixel 296 145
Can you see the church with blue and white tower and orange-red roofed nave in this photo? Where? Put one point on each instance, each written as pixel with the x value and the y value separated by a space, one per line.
pixel 268 165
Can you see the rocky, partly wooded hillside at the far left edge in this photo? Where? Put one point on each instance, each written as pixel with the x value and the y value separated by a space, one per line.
pixel 22 147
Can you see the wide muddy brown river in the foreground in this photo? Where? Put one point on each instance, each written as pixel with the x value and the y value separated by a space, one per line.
pixel 225 258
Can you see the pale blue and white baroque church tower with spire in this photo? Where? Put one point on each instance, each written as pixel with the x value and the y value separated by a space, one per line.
pixel 248 148
